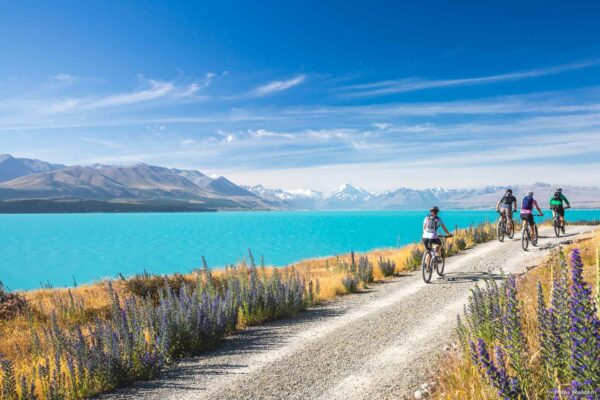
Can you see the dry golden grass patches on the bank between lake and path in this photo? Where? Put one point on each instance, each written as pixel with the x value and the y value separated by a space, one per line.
pixel 15 337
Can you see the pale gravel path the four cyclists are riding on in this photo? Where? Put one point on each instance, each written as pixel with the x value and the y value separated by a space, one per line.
pixel 379 344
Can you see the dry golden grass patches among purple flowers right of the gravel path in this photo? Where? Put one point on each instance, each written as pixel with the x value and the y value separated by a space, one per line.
pixel 460 379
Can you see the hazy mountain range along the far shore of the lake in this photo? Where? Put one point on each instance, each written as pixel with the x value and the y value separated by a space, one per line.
pixel 28 185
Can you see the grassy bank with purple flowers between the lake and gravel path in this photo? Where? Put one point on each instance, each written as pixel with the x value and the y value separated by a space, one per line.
pixel 67 344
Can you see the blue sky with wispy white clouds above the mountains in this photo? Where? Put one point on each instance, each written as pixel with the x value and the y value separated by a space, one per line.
pixel 304 94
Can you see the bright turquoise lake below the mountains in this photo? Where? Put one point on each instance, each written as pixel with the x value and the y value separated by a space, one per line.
pixel 60 249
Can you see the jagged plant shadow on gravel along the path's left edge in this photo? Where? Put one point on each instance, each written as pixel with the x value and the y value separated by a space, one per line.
pixel 214 362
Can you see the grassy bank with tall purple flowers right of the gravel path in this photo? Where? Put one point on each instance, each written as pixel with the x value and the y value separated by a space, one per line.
pixel 534 337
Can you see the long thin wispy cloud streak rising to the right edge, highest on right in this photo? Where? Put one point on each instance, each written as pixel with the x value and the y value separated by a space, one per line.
pixel 413 84
